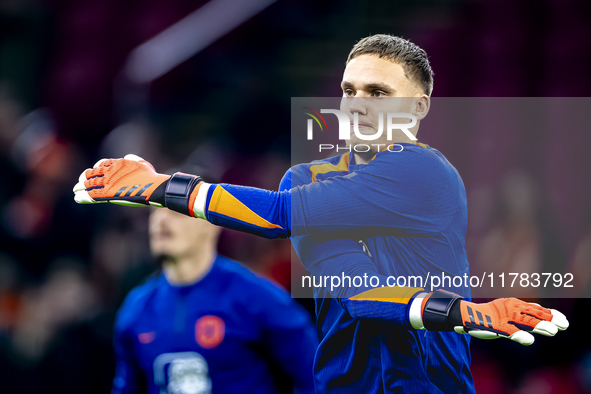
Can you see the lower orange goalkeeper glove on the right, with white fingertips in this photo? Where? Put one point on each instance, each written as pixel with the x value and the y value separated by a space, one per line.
pixel 502 318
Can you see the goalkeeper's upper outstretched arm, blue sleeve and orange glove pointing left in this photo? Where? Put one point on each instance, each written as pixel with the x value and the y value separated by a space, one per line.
pixel 320 207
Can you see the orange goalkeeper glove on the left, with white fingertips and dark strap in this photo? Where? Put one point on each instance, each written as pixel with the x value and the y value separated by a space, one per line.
pixel 132 181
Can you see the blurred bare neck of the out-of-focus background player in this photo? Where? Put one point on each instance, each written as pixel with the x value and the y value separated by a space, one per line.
pixel 190 269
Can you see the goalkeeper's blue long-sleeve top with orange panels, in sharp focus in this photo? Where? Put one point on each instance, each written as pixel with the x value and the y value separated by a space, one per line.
pixel 409 209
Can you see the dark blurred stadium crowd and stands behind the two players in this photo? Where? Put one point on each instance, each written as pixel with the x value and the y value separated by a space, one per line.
pixel 65 268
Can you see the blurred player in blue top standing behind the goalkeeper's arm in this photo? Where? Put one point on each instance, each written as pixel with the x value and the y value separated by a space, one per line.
pixel 208 325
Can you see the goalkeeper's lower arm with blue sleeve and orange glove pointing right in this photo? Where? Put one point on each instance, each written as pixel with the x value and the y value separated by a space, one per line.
pixel 436 311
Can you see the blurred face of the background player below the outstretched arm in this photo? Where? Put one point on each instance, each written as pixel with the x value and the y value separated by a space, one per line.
pixel 175 236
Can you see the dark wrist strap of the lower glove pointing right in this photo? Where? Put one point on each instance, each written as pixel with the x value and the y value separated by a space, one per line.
pixel 442 311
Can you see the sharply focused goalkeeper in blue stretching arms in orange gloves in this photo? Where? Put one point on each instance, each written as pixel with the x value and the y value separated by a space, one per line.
pixel 407 208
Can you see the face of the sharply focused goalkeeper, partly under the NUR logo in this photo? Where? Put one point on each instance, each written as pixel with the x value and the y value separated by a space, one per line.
pixel 372 86
